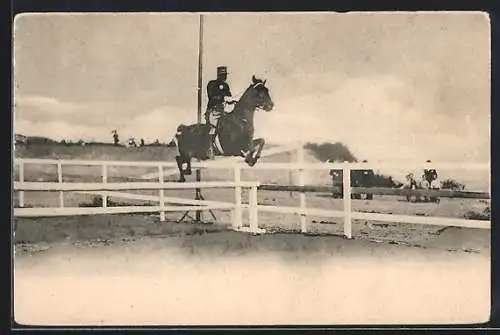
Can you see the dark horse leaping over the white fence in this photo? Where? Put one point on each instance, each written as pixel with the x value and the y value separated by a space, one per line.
pixel 234 131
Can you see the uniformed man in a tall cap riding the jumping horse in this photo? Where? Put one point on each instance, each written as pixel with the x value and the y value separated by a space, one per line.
pixel 219 93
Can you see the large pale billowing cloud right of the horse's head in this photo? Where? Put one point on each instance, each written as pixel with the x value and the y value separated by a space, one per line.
pixel 379 118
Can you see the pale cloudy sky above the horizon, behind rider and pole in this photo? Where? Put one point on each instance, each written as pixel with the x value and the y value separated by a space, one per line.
pixel 389 85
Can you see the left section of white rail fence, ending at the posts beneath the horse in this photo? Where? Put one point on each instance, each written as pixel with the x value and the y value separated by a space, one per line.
pixel 104 189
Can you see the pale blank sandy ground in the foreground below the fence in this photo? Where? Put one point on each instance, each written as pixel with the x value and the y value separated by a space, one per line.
pixel 226 278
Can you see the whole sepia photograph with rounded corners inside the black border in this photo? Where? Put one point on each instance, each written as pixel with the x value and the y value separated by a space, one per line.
pixel 251 169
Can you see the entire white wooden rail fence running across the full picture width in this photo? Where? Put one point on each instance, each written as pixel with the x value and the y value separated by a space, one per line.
pixel 106 189
